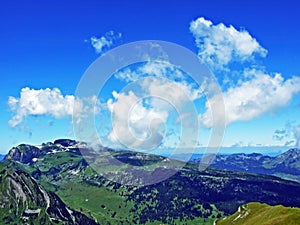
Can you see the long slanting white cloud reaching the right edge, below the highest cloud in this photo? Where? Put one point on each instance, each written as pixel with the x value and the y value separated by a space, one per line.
pixel 262 94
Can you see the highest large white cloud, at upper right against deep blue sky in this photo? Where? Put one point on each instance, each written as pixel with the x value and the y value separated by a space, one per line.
pixel 220 44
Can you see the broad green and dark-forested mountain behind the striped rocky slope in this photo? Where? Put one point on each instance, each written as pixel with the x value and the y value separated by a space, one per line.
pixel 190 196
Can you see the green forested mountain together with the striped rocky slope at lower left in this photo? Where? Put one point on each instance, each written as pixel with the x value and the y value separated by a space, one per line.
pixel 35 180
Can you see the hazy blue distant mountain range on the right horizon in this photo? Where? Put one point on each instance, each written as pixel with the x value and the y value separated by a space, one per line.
pixel 285 165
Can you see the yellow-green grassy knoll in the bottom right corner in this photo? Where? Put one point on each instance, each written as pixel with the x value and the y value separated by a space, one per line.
pixel 263 214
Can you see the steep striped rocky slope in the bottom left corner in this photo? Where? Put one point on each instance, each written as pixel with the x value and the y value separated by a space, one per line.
pixel 23 200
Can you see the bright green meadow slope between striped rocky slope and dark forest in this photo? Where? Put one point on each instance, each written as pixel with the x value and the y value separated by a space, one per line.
pixel 101 202
